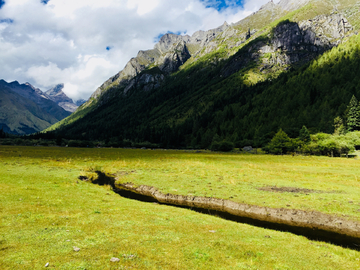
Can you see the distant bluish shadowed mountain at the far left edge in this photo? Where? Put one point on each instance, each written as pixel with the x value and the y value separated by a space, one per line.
pixel 25 109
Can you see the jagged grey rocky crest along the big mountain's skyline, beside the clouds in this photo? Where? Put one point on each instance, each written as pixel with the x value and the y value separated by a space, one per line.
pixel 168 55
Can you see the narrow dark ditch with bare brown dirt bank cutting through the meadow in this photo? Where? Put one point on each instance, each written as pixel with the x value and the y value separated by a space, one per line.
pixel 314 225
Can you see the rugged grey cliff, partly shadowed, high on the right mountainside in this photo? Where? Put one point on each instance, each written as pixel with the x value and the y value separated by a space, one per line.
pixel 292 43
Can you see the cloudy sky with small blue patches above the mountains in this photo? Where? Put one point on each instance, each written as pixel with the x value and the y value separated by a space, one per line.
pixel 82 43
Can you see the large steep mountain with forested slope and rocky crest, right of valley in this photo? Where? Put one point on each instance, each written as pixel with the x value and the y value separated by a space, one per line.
pixel 287 65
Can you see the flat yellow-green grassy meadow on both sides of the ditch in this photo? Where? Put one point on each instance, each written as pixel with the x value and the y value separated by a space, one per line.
pixel 45 211
